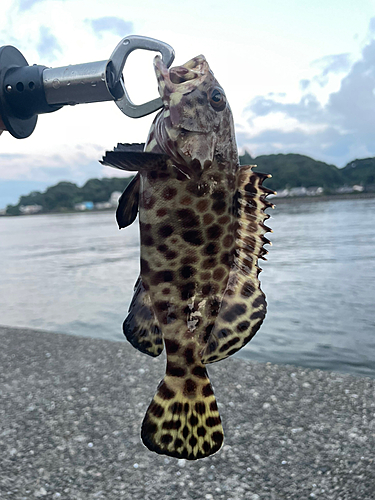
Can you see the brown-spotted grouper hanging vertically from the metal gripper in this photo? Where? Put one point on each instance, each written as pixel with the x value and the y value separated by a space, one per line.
pixel 202 230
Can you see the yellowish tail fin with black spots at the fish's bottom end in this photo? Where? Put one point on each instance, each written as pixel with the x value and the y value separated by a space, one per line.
pixel 183 423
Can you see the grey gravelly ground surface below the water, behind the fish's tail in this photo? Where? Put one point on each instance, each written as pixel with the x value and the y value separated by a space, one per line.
pixel 71 410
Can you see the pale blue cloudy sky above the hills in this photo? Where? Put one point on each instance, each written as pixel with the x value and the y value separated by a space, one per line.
pixel 299 76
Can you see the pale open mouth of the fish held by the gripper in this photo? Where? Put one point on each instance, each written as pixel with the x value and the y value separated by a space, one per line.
pixel 182 79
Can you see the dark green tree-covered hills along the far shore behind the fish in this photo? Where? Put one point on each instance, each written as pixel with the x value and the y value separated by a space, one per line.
pixel 288 171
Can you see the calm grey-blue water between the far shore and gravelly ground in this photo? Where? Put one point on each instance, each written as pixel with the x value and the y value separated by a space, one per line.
pixel 75 274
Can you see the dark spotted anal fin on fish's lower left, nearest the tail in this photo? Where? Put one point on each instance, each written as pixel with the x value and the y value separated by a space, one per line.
pixel 141 326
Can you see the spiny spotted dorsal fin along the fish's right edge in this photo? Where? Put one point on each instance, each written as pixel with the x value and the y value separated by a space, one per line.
pixel 243 306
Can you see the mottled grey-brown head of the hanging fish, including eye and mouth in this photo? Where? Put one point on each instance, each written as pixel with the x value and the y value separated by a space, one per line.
pixel 195 125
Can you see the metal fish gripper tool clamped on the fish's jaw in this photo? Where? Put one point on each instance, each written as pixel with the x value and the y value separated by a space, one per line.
pixel 27 91
